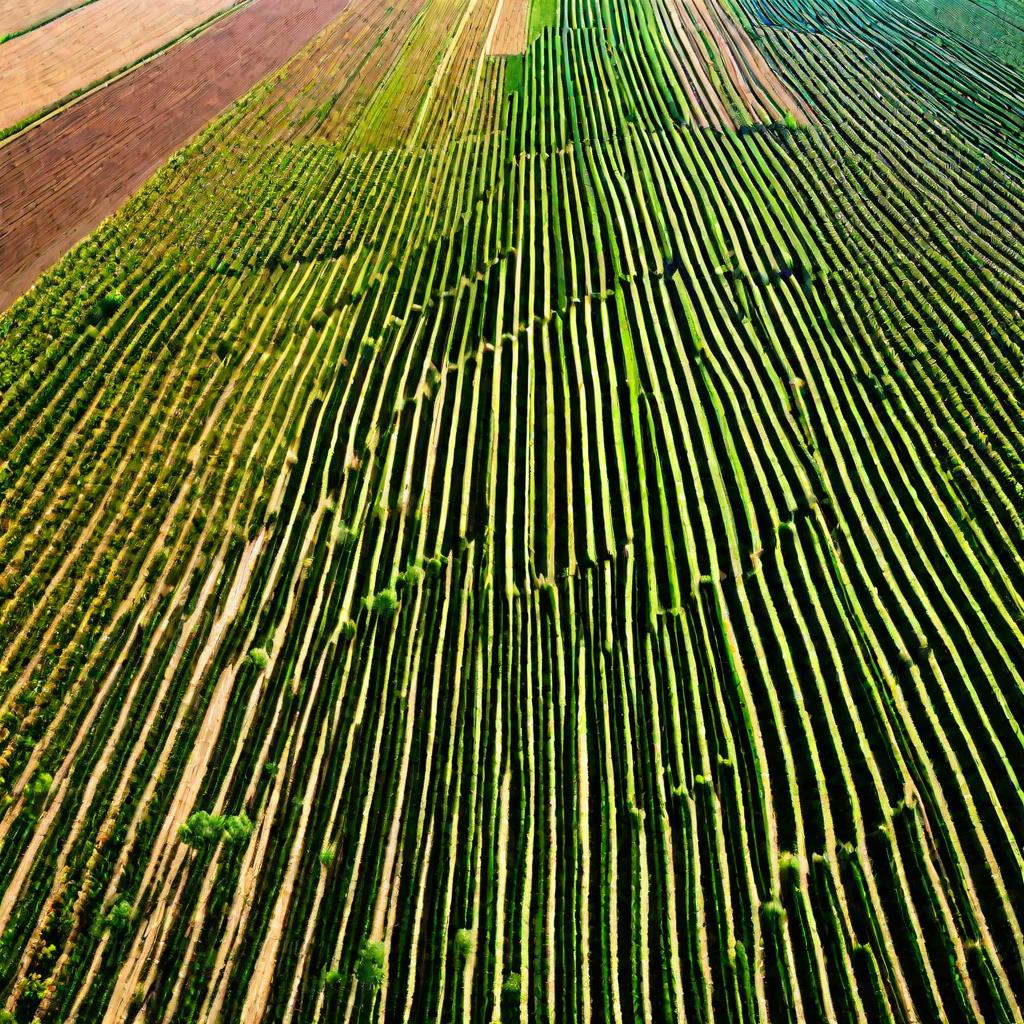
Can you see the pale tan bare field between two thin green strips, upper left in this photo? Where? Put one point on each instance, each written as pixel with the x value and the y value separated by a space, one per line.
pixel 41 68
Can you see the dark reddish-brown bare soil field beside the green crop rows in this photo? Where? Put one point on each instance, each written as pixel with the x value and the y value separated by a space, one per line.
pixel 61 179
